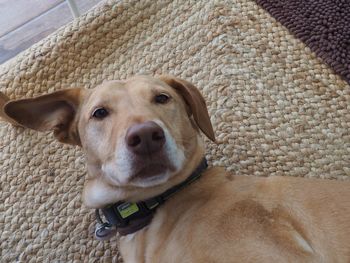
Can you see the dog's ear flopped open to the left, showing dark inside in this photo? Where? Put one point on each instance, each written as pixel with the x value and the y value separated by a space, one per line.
pixel 52 112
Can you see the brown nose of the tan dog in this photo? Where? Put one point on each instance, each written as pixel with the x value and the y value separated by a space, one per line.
pixel 145 138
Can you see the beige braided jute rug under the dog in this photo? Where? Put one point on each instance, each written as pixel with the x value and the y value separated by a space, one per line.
pixel 276 108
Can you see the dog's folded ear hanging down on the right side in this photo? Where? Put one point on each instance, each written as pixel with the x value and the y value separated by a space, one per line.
pixel 194 100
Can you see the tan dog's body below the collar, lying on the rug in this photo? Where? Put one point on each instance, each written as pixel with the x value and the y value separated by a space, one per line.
pixel 247 219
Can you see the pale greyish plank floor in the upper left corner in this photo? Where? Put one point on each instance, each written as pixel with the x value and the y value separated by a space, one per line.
pixel 25 22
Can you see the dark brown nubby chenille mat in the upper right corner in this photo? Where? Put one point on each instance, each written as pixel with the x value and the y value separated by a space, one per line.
pixel 324 25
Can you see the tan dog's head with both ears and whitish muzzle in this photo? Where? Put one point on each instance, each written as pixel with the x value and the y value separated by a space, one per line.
pixel 140 136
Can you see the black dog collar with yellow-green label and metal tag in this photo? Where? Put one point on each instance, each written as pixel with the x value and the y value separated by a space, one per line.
pixel 127 218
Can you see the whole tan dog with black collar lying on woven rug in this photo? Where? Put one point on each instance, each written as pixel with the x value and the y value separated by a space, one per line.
pixel 147 174
